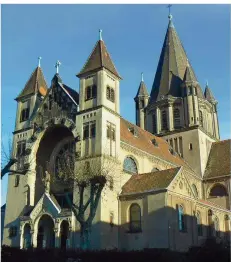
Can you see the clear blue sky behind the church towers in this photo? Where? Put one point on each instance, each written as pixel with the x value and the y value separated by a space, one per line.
pixel 133 34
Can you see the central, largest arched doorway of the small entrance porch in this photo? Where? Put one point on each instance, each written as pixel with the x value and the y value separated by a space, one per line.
pixel 46 234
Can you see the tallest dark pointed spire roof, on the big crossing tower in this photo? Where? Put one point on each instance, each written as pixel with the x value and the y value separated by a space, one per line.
pixel 171 67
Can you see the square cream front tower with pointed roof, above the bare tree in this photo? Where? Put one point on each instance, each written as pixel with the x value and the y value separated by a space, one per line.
pixel 99 103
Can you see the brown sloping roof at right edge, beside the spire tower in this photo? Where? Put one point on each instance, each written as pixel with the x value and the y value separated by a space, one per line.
pixel 218 164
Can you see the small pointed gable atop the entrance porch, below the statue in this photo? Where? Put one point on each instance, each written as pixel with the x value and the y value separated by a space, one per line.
pixel 48 204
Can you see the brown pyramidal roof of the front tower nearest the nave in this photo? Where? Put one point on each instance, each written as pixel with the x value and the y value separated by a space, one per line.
pixel 99 58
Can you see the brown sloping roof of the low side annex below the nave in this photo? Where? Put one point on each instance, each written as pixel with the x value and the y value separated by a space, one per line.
pixel 150 181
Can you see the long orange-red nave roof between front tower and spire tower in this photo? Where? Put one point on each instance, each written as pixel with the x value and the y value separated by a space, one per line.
pixel 143 141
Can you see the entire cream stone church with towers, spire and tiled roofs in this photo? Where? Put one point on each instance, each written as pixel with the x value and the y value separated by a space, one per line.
pixel 171 186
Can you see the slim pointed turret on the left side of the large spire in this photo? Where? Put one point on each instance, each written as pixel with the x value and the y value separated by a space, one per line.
pixel 141 100
